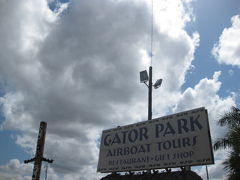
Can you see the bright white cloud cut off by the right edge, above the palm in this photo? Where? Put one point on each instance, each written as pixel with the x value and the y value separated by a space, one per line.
pixel 227 50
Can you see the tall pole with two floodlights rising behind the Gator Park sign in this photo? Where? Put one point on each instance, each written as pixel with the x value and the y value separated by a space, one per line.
pixel 143 79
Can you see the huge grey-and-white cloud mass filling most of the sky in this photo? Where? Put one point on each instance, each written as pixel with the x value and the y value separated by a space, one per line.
pixel 79 72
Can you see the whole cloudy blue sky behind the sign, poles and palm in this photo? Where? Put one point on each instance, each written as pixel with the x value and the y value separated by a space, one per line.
pixel 75 64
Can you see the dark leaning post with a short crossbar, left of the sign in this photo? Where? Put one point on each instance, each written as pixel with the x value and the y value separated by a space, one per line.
pixel 39 152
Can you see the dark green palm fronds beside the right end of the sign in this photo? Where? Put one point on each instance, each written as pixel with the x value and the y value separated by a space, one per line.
pixel 231 140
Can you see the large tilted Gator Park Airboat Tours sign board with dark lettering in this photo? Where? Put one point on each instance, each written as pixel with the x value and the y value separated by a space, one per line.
pixel 182 139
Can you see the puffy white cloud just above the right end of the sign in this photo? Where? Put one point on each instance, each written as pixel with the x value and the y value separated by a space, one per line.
pixel 205 93
